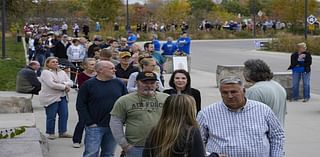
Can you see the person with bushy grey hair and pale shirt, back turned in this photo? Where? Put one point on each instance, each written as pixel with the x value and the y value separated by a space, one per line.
pixel 265 89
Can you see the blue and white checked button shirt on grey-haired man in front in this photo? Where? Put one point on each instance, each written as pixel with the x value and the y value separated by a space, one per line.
pixel 253 131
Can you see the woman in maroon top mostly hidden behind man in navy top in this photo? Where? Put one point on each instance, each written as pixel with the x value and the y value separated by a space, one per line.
pixel 88 72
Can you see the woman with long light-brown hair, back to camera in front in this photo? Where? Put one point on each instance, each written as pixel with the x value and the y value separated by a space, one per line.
pixel 177 133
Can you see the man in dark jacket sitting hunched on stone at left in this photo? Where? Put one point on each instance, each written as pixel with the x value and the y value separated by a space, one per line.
pixel 27 81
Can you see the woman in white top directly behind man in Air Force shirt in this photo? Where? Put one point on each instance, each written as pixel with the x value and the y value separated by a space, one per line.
pixel 146 64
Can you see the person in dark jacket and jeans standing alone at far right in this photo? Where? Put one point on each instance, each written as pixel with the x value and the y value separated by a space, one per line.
pixel 300 64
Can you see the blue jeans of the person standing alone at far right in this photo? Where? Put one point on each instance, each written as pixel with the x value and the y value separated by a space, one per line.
pixel 296 77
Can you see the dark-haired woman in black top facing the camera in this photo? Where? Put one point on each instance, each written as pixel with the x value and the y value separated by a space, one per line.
pixel 180 83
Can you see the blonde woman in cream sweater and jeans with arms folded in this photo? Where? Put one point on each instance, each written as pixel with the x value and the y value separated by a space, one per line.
pixel 55 84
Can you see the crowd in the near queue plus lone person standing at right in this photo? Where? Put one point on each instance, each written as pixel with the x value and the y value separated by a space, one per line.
pixel 122 99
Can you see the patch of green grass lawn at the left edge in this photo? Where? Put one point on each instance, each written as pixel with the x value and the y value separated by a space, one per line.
pixel 10 67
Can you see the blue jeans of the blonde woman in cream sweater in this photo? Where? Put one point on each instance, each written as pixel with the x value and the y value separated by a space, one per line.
pixel 60 108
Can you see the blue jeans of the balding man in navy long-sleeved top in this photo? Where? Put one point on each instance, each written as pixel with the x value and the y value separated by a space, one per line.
pixel 97 137
